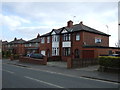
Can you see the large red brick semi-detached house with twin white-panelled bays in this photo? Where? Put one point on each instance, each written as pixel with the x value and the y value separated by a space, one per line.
pixel 75 41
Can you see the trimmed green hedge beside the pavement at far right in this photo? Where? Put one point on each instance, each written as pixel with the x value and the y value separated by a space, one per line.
pixel 109 61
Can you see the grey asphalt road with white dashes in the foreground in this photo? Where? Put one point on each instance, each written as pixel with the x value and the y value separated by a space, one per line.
pixel 23 77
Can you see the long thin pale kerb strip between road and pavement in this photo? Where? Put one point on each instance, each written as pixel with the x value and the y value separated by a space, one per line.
pixel 68 75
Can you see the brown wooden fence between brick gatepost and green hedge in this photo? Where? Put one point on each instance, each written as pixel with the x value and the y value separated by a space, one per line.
pixel 83 62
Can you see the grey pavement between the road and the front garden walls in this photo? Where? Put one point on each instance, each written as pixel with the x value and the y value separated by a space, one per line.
pixel 90 72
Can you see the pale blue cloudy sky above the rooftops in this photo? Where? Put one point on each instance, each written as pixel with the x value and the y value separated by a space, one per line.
pixel 27 19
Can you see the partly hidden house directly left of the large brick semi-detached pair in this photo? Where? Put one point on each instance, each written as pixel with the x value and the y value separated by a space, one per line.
pixel 32 46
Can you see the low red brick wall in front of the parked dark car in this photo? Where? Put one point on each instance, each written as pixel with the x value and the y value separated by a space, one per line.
pixel 33 60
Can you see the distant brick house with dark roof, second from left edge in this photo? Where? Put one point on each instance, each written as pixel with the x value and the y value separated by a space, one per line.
pixel 16 46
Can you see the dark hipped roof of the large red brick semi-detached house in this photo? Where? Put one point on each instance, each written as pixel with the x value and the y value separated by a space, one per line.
pixel 76 28
